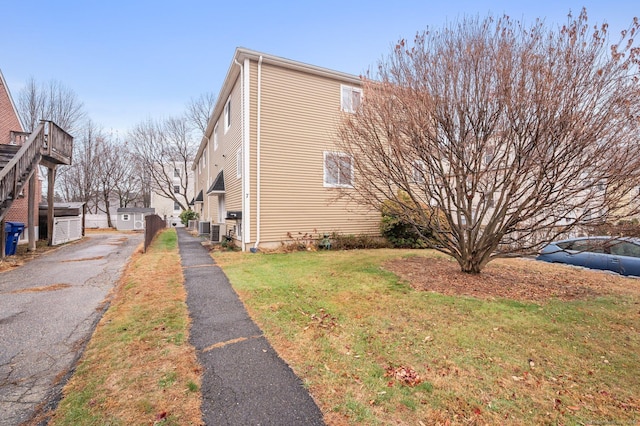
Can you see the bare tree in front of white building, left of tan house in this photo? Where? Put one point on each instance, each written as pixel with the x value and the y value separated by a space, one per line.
pixel 166 150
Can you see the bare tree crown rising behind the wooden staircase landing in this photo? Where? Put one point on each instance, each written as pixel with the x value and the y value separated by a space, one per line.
pixel 52 101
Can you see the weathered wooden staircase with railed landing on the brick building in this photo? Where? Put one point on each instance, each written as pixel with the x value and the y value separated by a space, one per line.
pixel 48 145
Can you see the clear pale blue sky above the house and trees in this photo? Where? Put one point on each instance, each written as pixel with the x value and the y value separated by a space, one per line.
pixel 129 60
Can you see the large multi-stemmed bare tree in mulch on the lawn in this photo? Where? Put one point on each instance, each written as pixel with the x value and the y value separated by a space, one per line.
pixel 498 137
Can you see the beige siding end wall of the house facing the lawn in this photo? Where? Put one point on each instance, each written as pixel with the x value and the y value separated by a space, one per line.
pixel 300 113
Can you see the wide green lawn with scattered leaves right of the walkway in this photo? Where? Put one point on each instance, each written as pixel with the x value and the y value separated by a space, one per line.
pixel 358 336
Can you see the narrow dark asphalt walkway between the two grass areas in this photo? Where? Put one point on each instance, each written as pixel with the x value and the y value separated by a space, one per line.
pixel 244 380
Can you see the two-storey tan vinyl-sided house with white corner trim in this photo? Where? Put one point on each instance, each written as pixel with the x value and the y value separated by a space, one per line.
pixel 283 126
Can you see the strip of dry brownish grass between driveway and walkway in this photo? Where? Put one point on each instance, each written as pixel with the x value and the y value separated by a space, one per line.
pixel 138 367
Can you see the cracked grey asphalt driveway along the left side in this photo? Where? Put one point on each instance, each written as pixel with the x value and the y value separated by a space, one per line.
pixel 49 308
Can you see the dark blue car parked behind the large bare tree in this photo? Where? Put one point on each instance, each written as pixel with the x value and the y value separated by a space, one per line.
pixel 621 255
